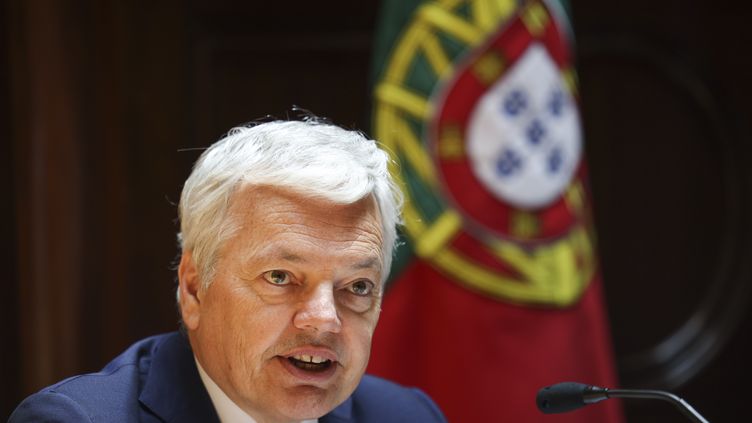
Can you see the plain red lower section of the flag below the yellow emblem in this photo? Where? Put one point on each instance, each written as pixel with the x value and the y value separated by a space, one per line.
pixel 483 360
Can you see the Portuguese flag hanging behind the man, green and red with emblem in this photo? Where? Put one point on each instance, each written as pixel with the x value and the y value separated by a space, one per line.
pixel 495 291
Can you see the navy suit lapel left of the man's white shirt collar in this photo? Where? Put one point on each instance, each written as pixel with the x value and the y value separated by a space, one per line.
pixel 173 389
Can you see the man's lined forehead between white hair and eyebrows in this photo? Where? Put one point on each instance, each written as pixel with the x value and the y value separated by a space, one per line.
pixel 279 224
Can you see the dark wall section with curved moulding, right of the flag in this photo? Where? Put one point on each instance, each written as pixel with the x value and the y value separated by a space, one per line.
pixel 665 99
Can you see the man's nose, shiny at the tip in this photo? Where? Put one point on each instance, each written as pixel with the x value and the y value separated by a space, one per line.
pixel 318 310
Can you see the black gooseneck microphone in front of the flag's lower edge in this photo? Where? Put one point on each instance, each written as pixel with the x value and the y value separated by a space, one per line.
pixel 568 396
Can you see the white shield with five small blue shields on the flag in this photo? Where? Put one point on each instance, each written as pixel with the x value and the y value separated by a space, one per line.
pixel 524 137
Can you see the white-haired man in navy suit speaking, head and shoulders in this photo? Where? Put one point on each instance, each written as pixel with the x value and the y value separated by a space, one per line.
pixel 287 233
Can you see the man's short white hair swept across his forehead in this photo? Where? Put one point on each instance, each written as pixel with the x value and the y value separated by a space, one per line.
pixel 310 157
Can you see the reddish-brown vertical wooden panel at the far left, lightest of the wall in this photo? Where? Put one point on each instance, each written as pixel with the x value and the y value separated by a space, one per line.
pixel 46 131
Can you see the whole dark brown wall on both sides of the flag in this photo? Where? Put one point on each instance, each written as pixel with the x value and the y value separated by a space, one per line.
pixel 103 103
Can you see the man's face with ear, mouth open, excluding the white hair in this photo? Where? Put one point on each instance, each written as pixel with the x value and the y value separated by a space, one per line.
pixel 285 326
